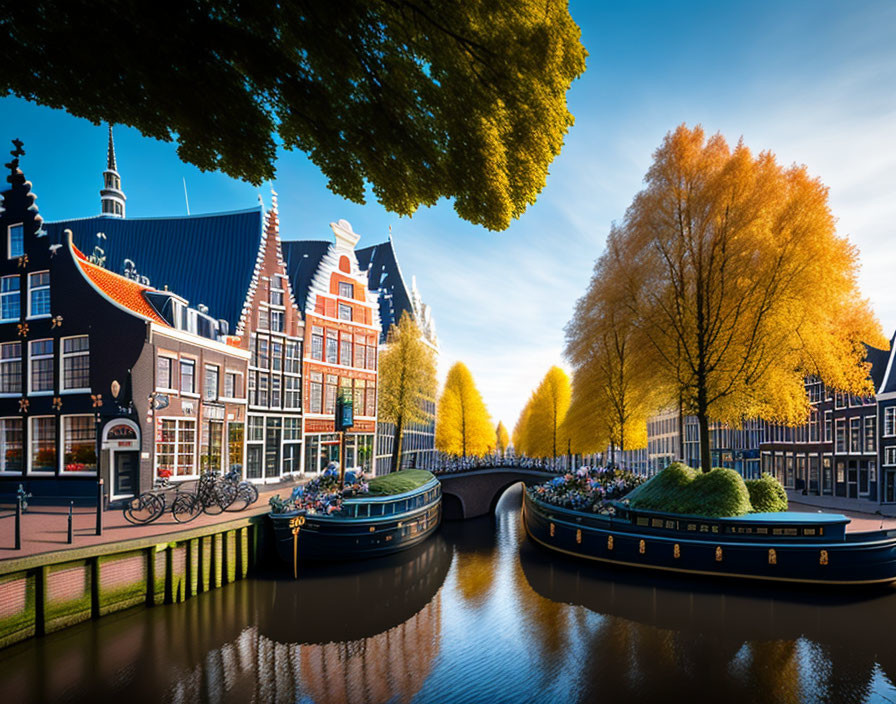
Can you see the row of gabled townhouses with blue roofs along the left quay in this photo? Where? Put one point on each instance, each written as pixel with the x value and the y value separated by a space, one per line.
pixel 136 348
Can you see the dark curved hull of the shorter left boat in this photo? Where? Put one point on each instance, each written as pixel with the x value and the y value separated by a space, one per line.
pixel 327 538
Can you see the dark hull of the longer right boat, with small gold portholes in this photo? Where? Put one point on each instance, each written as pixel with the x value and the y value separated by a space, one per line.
pixel 868 558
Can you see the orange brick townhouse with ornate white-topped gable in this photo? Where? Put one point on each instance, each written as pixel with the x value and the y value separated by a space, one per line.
pixel 342 329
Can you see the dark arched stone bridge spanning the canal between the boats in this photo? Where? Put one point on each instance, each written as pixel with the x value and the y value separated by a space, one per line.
pixel 472 493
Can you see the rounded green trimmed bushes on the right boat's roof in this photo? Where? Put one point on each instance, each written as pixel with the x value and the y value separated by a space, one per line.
pixel 719 493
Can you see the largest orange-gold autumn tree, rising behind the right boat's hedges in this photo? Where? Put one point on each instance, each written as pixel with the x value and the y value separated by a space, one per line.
pixel 736 277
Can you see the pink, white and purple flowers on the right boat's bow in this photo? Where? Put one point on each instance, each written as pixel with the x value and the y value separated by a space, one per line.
pixel 587 489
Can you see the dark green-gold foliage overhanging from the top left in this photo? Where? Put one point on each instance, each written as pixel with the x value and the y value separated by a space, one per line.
pixel 422 101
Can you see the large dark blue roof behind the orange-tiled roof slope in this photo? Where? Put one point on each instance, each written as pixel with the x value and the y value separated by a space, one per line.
pixel 206 259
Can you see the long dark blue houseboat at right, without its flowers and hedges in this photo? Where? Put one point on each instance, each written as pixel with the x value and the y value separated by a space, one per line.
pixel 792 547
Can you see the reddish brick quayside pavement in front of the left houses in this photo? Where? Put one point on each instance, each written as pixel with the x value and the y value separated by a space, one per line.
pixel 45 528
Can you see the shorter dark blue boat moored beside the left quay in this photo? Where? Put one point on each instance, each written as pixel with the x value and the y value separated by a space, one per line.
pixel 367 526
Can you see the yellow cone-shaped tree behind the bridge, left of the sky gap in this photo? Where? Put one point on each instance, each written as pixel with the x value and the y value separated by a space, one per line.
pixel 463 426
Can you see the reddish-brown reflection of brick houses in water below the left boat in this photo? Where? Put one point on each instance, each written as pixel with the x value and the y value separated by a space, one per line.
pixel 389 667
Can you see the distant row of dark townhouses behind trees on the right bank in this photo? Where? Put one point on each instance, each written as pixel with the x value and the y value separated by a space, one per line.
pixel 847 447
